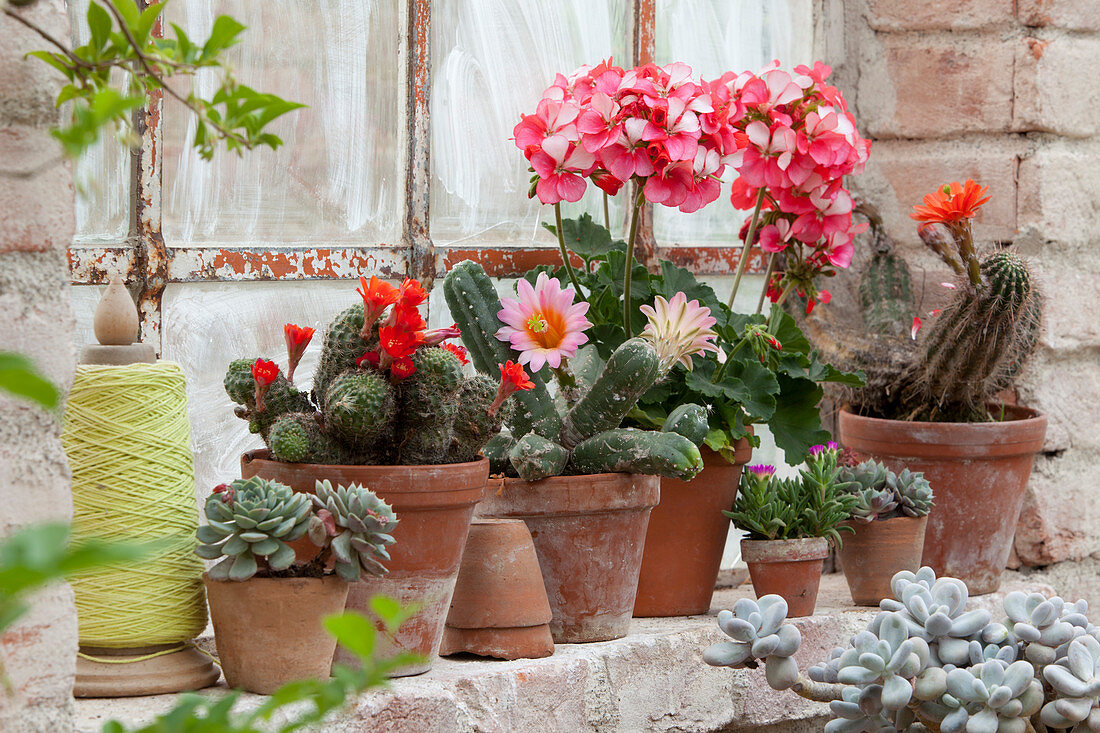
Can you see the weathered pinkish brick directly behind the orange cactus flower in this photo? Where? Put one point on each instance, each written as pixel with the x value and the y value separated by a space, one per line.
pixel 901 173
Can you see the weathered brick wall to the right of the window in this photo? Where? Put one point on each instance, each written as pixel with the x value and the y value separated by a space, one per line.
pixel 1002 92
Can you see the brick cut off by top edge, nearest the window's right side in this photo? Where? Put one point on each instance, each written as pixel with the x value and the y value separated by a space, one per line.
pixel 961 16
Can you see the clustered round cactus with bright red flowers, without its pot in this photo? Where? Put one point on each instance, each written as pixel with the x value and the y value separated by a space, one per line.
pixel 387 390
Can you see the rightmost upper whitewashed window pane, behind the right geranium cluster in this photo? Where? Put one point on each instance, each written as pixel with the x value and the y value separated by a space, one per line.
pixel 714 37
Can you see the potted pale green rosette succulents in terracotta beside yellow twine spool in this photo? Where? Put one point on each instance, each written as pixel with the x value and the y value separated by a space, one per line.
pixel 266 604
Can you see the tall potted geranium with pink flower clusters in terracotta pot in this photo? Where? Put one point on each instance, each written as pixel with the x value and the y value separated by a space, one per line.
pixel 790 141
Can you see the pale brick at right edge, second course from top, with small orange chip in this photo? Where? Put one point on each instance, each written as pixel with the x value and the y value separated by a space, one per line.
pixel 1049 93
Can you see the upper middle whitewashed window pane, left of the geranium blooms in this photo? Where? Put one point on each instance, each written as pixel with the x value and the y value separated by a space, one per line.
pixel 491 62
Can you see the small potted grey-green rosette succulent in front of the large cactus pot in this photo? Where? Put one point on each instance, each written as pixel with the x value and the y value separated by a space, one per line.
pixel 888 522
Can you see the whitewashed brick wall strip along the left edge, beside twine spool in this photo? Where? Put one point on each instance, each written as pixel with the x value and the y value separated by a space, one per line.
pixel 37 224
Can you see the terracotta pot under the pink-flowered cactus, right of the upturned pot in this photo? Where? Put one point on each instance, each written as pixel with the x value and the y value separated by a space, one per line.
pixel 589 533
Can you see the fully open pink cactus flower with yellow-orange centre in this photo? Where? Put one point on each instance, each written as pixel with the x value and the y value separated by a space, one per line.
pixel 544 324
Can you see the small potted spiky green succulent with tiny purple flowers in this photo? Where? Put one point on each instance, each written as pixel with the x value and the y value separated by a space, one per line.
pixel 791 523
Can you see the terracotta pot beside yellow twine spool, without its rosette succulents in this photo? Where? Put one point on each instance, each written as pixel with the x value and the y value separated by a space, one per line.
pixel 269 630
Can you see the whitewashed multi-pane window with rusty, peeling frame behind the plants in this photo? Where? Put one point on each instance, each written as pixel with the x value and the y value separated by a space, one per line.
pixel 402 165
